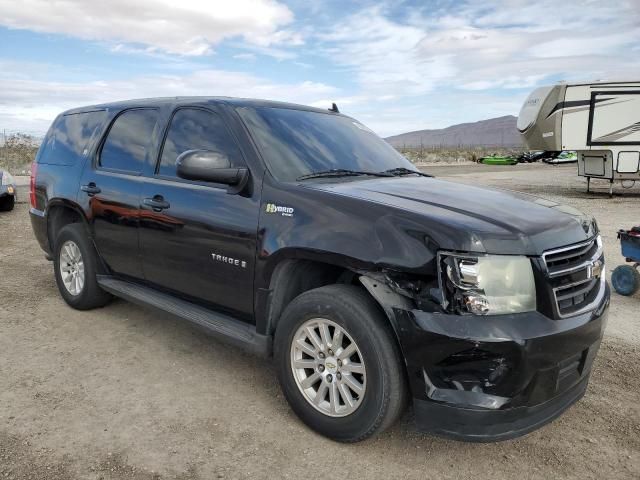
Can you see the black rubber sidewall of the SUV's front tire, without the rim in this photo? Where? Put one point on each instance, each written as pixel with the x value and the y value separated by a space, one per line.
pixel 373 407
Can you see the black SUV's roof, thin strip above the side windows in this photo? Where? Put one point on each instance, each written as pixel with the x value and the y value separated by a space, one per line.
pixel 202 101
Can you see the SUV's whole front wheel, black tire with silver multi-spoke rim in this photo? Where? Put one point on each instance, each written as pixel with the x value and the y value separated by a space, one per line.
pixel 353 311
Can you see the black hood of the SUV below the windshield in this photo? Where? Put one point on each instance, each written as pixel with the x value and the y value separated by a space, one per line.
pixel 467 218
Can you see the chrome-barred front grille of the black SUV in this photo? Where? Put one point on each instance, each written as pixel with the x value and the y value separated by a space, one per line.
pixel 576 275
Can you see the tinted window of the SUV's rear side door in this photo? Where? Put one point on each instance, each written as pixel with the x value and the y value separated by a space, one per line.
pixel 129 140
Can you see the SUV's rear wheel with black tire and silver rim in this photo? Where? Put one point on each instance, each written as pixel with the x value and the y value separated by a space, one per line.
pixel 87 295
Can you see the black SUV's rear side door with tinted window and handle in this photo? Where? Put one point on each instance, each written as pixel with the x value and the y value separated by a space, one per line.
pixel 112 186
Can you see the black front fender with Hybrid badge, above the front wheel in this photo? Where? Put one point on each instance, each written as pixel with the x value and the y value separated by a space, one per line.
pixel 301 223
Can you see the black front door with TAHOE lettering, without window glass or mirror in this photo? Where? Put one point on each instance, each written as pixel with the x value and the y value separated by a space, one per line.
pixel 203 246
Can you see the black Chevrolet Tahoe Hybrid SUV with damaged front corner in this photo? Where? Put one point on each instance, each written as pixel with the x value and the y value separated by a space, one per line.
pixel 297 233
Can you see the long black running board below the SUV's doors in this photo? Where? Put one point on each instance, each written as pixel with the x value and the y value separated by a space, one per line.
pixel 221 326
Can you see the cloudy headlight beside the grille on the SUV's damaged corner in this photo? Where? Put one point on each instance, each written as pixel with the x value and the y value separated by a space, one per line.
pixel 487 284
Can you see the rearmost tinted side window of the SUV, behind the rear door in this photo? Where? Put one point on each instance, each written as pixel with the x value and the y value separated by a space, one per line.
pixel 69 137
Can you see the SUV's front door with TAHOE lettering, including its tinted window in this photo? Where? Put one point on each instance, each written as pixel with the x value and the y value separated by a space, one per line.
pixel 195 238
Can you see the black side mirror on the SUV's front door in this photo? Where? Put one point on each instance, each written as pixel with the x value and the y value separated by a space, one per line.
pixel 210 166
